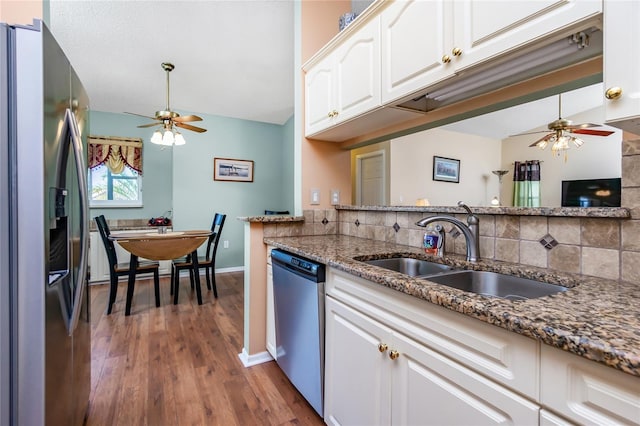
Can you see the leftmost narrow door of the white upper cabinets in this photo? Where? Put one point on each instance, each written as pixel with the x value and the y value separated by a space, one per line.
pixel 319 96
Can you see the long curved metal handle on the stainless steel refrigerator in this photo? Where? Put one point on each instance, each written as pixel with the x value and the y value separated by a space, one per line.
pixel 79 287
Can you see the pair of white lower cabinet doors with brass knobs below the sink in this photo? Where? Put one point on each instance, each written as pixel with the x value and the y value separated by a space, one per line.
pixel 378 376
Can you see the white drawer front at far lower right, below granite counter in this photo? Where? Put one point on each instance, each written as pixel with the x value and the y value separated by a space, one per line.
pixel 587 392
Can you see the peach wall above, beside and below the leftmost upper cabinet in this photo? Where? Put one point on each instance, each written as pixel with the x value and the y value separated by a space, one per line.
pixel 325 165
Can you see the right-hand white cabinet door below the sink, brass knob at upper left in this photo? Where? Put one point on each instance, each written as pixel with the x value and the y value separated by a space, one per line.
pixel 430 389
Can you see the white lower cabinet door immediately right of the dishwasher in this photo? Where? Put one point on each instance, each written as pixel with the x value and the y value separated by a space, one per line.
pixel 356 372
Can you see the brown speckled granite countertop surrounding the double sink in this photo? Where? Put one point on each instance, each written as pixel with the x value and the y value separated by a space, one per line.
pixel 598 319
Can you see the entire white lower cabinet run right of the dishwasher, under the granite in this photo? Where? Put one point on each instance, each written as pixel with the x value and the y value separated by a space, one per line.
pixel 393 359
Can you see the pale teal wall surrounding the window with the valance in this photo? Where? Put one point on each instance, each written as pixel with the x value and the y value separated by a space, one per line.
pixel 156 166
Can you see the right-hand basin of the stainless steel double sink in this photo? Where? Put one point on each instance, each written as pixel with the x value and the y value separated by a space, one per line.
pixel 497 285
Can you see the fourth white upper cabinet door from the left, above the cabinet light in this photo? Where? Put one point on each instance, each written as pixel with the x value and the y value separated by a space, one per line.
pixel 486 28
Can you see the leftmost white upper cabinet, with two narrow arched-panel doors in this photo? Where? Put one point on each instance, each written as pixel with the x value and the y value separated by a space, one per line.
pixel 347 82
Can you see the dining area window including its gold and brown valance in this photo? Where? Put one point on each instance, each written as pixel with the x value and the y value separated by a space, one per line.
pixel 115 172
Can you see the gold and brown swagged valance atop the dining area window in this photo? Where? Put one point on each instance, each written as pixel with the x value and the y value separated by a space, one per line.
pixel 115 152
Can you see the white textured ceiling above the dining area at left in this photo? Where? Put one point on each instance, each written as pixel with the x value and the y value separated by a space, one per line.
pixel 232 58
